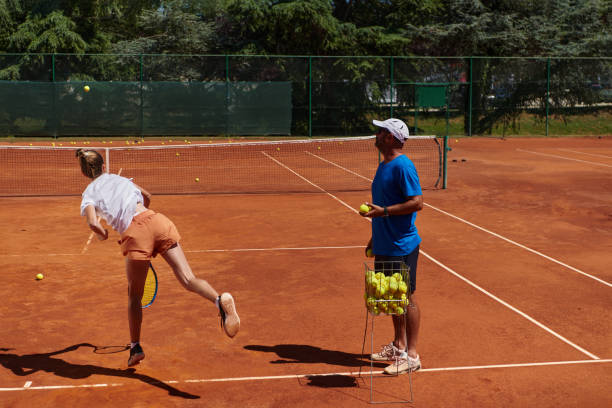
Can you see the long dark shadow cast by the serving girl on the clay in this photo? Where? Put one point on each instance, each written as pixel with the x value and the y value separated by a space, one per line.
pixel 27 364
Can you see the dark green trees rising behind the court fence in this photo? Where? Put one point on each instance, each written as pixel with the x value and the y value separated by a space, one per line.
pixel 501 89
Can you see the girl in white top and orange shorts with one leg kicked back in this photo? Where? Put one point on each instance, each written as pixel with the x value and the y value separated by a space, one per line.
pixel 144 234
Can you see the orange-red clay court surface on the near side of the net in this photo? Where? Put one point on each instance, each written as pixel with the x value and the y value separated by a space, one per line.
pixel 514 285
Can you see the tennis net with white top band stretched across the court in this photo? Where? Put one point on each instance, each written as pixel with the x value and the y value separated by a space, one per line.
pixel 310 165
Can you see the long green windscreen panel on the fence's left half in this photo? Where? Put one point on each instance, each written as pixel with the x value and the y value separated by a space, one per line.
pixel 145 108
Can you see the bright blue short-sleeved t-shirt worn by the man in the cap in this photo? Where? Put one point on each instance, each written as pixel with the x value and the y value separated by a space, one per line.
pixel 394 181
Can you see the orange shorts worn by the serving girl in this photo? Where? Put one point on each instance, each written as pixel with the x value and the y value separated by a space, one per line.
pixel 149 234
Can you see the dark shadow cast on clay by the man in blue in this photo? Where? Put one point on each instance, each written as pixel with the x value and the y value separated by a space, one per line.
pixel 305 354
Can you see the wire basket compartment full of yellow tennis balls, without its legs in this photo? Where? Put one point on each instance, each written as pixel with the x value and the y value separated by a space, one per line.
pixel 387 286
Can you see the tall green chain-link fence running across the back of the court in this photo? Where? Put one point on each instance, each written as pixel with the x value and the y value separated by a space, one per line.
pixel 302 95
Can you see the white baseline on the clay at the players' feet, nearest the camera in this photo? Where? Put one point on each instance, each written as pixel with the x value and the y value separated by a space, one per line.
pixel 298 376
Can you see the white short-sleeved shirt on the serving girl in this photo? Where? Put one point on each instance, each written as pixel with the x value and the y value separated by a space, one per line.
pixel 114 198
